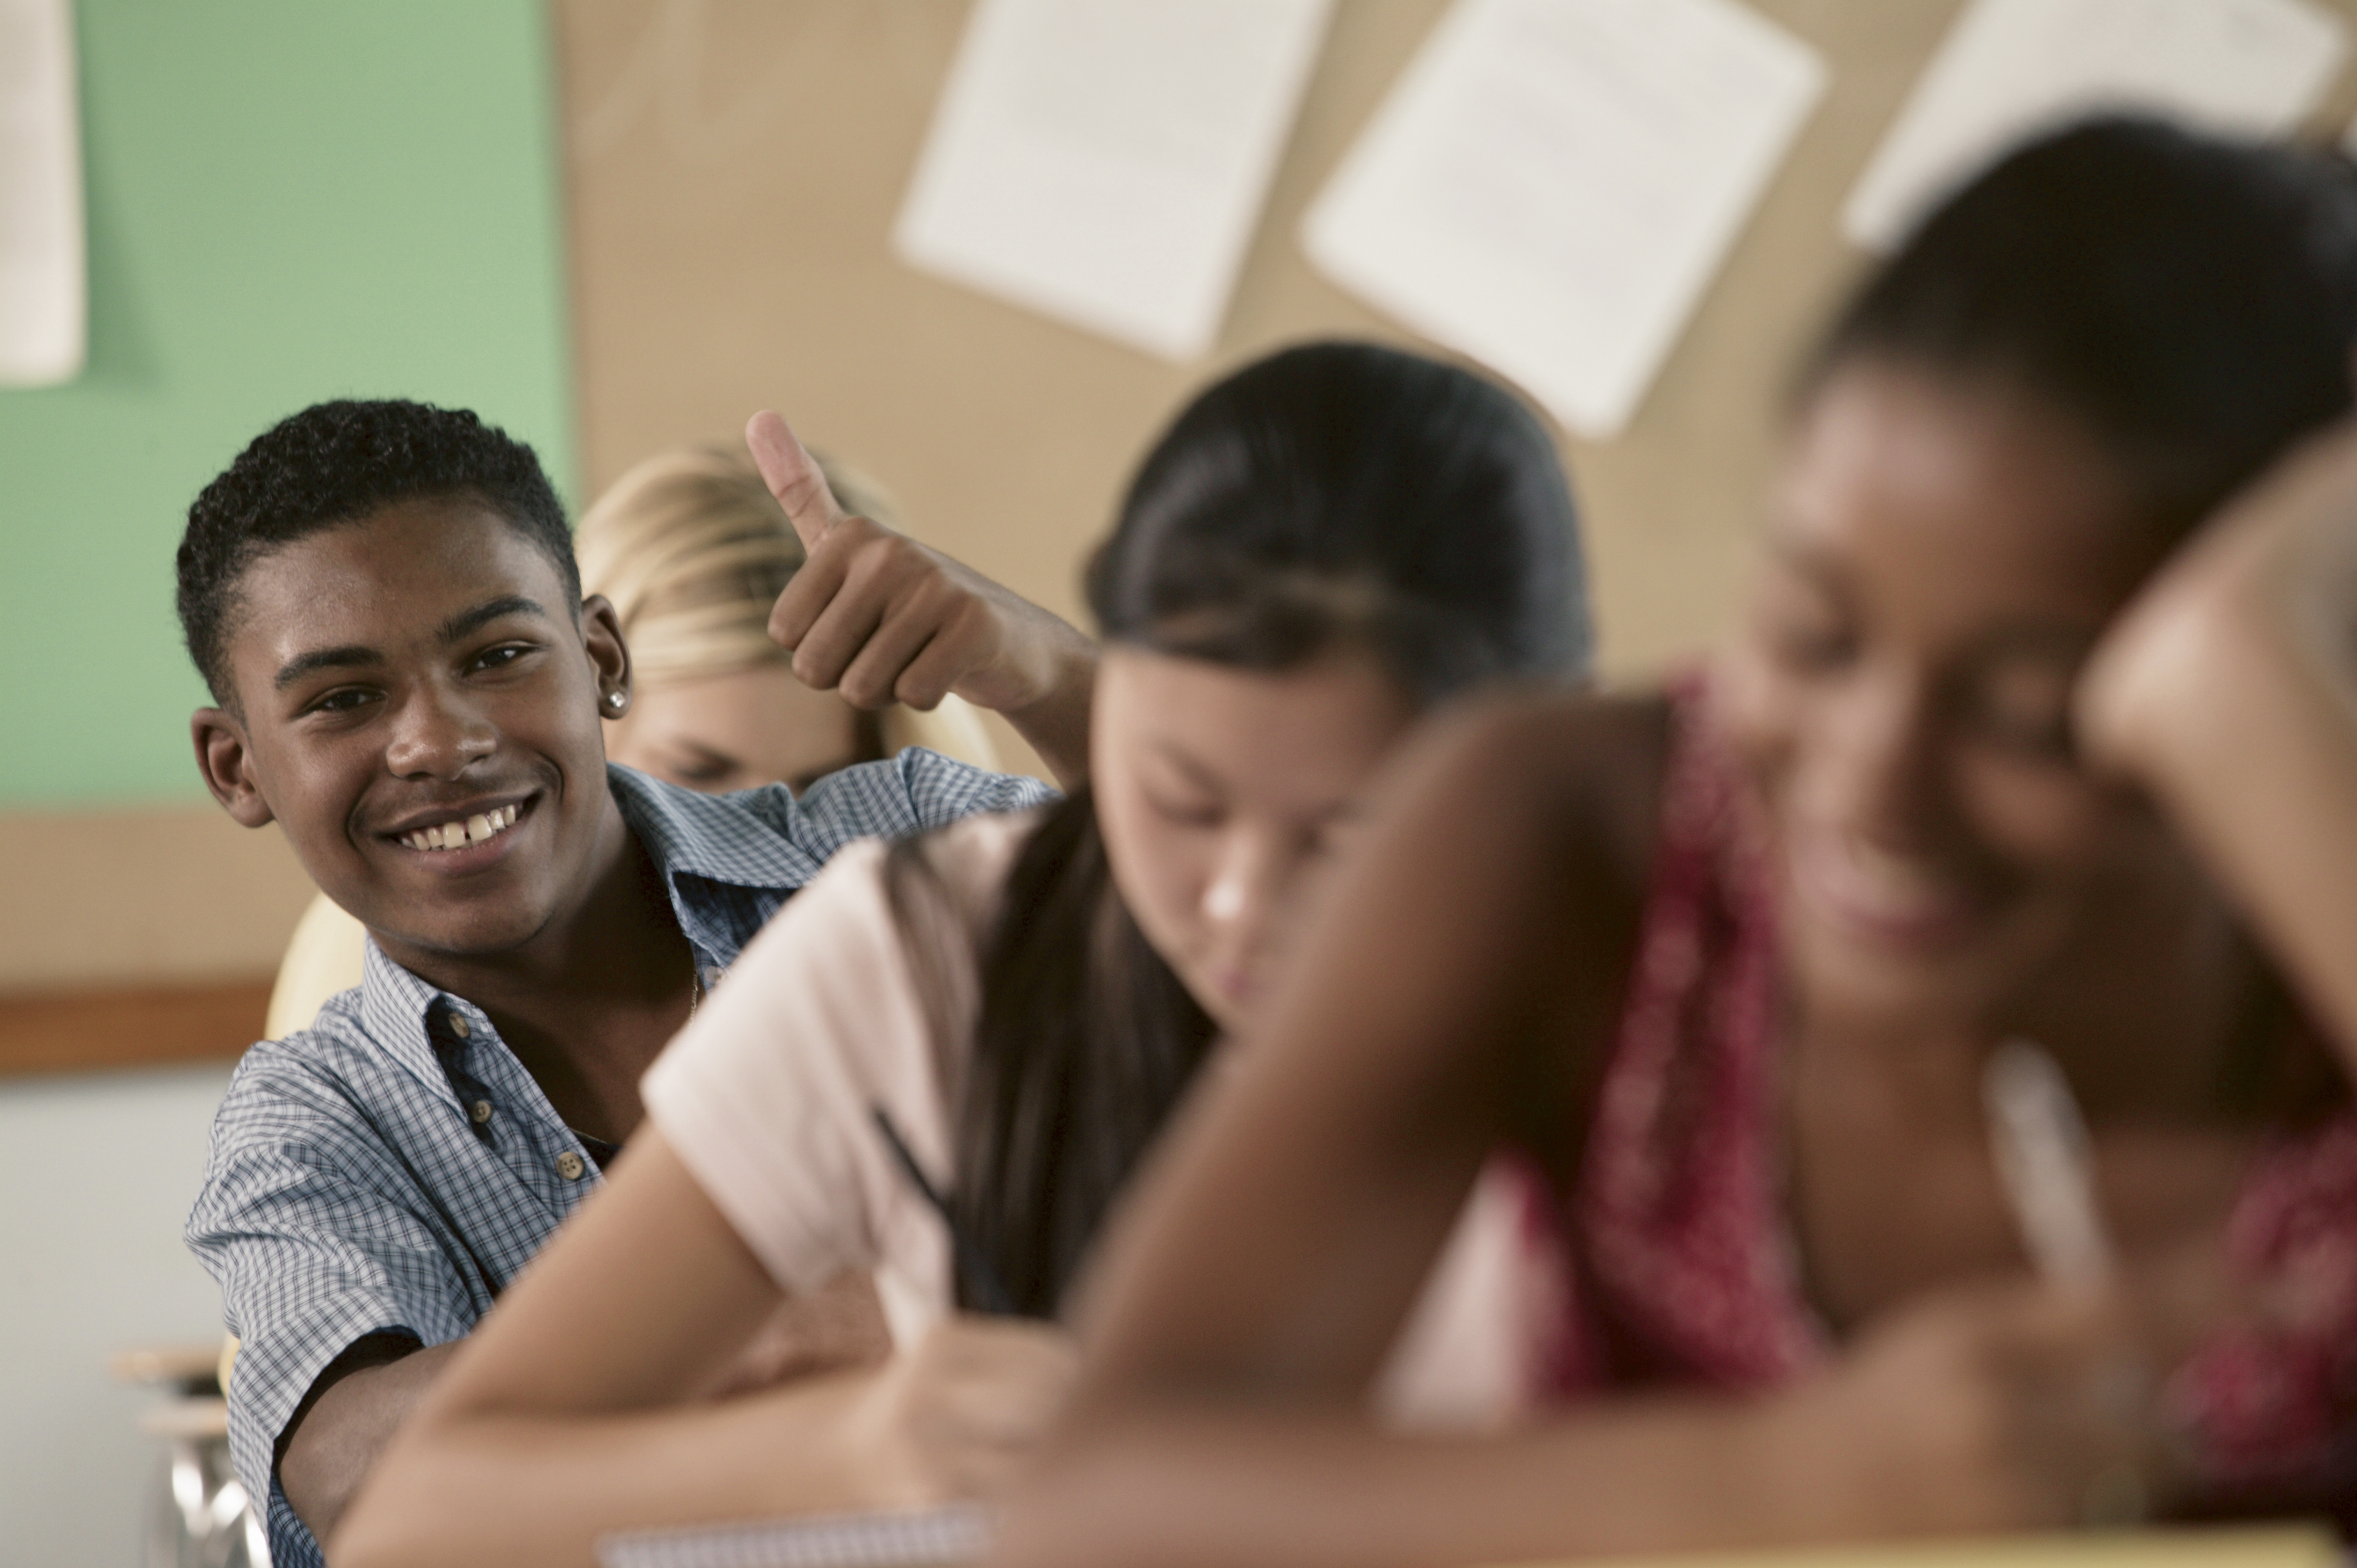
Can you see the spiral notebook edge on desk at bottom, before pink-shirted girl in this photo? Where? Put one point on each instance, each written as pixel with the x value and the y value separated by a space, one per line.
pixel 913 1539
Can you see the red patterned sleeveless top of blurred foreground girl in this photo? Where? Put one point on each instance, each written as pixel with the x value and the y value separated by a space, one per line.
pixel 1684 1263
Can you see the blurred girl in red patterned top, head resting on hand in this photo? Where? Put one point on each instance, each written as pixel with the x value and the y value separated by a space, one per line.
pixel 1731 961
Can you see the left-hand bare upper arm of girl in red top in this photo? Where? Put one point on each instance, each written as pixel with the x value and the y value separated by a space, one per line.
pixel 1463 961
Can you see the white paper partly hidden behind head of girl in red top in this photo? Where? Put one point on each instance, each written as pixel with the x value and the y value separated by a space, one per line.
pixel 2014 67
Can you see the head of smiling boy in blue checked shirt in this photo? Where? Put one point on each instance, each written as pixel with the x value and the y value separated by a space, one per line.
pixel 385 605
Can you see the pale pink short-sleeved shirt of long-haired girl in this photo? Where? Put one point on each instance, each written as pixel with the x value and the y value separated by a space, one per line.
pixel 770 1100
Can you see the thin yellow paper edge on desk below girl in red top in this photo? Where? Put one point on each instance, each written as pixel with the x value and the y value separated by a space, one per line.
pixel 2240 1548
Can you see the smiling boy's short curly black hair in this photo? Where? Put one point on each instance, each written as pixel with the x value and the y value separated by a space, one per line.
pixel 331 466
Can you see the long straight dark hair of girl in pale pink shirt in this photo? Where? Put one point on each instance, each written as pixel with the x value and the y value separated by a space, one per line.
pixel 1333 494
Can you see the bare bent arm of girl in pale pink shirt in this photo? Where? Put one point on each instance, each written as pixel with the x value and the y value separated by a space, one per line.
pixel 572 1411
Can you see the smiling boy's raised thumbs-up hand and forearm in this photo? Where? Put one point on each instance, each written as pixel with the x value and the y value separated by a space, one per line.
pixel 883 619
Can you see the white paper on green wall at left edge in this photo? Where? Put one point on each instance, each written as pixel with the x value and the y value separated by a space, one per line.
pixel 44 279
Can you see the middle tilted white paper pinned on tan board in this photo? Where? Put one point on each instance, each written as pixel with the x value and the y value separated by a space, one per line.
pixel 1554 183
